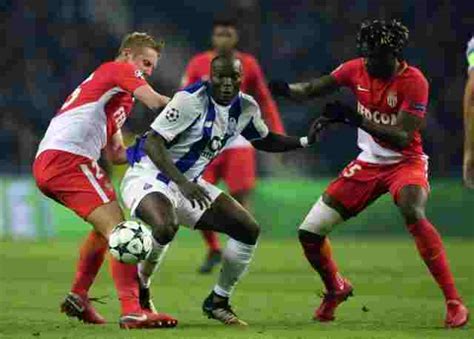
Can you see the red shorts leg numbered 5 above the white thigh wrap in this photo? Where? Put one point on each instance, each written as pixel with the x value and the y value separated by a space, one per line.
pixel 356 188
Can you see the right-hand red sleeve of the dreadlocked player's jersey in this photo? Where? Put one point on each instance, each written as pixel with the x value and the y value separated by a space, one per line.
pixel 415 96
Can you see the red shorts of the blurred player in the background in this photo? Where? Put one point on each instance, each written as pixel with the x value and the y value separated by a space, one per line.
pixel 236 166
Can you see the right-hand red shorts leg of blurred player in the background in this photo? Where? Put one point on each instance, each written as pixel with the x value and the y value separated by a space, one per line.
pixel 239 170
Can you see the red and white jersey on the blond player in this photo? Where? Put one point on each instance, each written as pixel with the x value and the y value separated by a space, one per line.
pixel 94 111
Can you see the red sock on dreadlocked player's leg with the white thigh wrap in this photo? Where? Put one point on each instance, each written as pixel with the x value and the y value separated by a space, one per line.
pixel 319 254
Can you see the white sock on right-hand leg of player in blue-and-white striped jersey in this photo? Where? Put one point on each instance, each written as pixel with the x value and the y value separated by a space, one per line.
pixel 236 258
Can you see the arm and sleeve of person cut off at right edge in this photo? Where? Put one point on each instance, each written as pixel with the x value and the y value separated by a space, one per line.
pixel 468 168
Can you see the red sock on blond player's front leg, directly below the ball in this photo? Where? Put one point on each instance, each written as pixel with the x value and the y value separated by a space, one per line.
pixel 126 282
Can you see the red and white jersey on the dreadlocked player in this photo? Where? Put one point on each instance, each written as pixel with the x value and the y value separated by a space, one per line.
pixel 380 101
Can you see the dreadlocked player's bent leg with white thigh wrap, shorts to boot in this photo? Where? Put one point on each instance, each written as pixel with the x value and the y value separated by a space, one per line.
pixel 345 197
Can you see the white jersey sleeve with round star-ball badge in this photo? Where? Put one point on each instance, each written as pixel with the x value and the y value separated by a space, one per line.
pixel 178 115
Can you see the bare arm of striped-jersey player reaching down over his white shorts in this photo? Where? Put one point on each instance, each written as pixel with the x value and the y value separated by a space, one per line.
pixel 155 148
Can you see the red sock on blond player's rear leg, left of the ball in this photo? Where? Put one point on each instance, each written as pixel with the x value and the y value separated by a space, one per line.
pixel 91 257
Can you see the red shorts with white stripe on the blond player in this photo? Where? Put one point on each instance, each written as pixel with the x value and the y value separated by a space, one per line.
pixel 72 180
